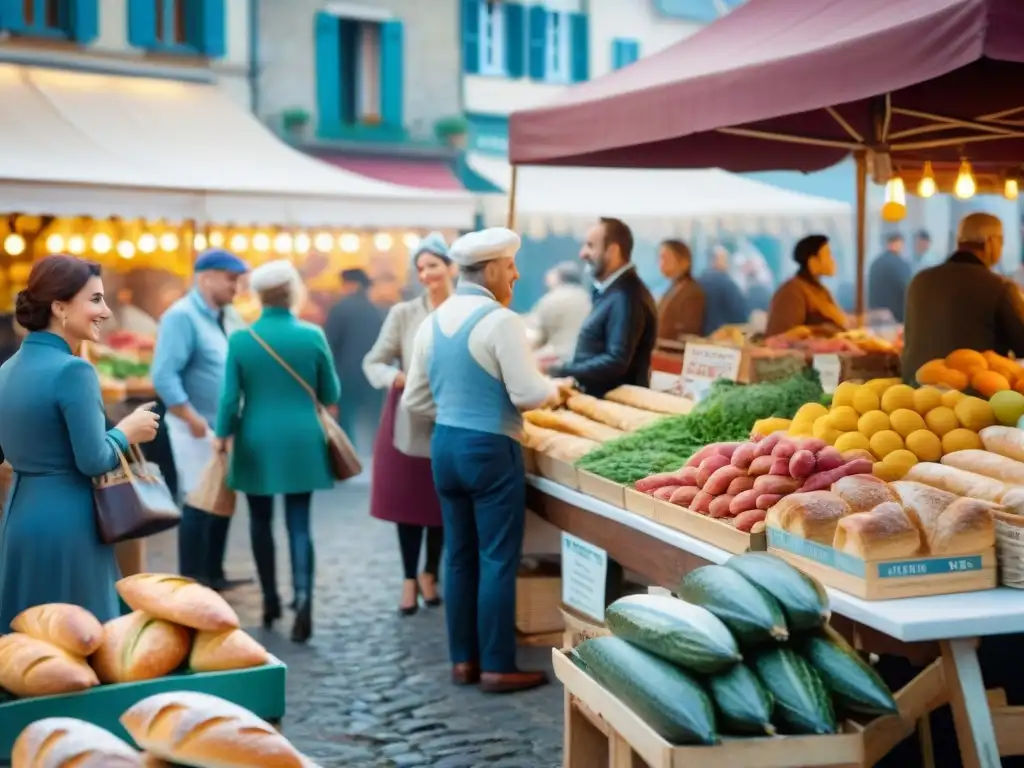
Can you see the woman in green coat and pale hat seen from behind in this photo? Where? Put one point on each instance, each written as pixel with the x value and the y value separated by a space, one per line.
pixel 269 421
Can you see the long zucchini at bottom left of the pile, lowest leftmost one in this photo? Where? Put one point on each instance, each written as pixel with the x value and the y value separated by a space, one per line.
pixel 662 695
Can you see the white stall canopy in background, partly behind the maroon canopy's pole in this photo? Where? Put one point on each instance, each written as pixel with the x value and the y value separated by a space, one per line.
pixel 656 204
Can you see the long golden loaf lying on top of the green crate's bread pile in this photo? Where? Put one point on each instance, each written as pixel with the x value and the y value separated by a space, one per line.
pixel 180 601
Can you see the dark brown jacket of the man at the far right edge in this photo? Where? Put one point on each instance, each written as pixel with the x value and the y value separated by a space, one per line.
pixel 961 305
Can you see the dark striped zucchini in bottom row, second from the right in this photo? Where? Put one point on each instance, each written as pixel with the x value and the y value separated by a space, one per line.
pixel 802 703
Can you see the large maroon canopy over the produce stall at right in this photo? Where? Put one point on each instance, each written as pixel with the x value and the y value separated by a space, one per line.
pixel 918 79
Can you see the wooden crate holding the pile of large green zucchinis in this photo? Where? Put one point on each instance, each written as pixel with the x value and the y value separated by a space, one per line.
pixel 601 731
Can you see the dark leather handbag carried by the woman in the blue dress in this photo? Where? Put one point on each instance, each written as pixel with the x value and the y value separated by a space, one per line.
pixel 133 501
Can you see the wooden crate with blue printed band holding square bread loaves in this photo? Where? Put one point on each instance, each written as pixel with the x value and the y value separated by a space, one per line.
pixel 886 580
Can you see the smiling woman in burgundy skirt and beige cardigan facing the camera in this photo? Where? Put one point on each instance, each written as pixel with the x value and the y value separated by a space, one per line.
pixel 403 490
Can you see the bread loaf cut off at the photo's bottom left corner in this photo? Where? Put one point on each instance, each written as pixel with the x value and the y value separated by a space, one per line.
pixel 67 743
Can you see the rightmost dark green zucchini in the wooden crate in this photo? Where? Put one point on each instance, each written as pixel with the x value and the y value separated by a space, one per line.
pixel 855 686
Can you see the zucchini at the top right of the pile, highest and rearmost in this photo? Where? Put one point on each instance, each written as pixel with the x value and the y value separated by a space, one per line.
pixel 804 601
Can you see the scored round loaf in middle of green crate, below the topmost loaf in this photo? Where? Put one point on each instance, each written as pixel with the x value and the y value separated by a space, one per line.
pixel 139 647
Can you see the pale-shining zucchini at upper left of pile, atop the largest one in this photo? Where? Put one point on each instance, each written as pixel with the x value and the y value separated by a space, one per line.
pixel 676 631
